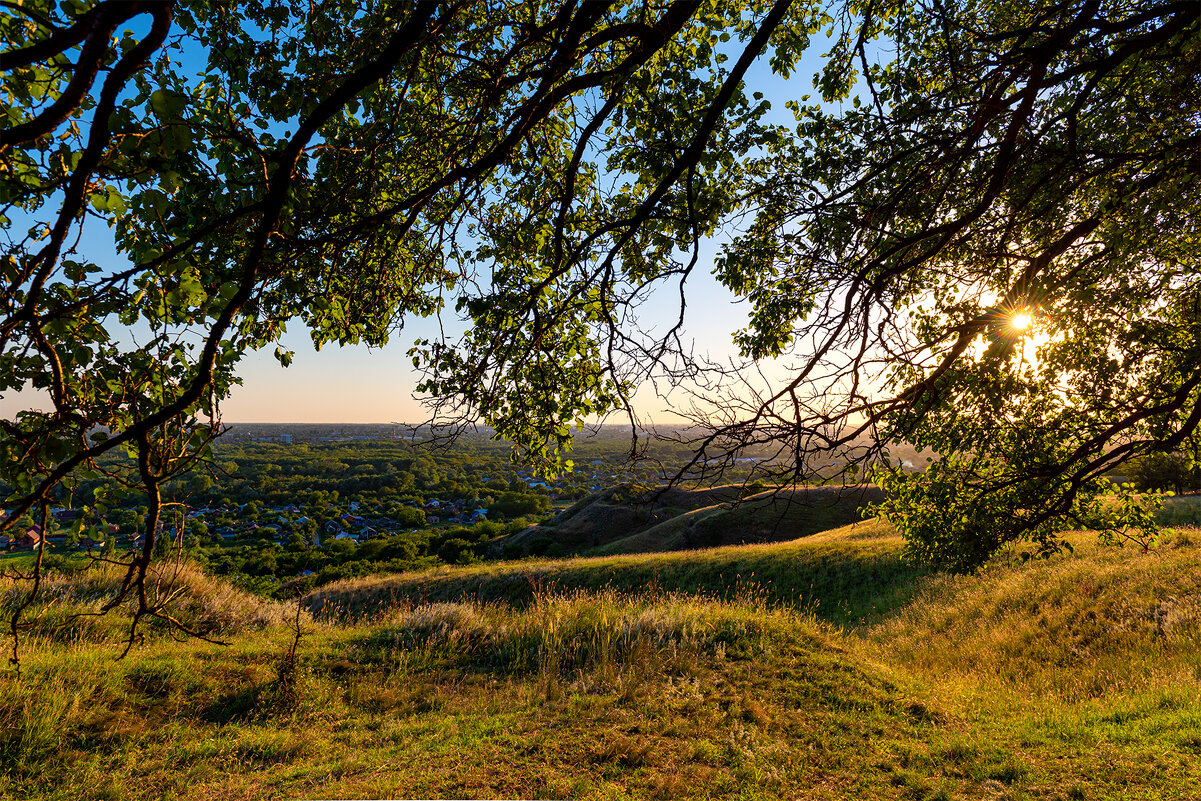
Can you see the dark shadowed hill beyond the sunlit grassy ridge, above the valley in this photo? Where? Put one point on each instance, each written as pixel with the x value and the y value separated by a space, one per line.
pixel 628 521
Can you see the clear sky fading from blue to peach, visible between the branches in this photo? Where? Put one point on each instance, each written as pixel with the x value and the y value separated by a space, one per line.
pixel 360 385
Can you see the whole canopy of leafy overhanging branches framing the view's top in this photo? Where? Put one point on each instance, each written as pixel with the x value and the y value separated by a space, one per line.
pixel 539 169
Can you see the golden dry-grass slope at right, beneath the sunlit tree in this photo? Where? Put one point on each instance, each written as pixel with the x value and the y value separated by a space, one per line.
pixel 1103 620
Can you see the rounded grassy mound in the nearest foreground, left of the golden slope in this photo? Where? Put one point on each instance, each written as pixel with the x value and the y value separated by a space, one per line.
pixel 582 695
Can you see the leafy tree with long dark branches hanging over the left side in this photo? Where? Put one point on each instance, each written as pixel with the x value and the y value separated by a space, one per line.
pixel 342 166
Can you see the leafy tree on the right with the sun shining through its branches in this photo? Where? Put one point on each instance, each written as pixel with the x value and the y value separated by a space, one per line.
pixel 993 254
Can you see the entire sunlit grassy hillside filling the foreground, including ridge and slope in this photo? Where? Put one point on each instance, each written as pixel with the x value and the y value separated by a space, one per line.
pixel 824 668
